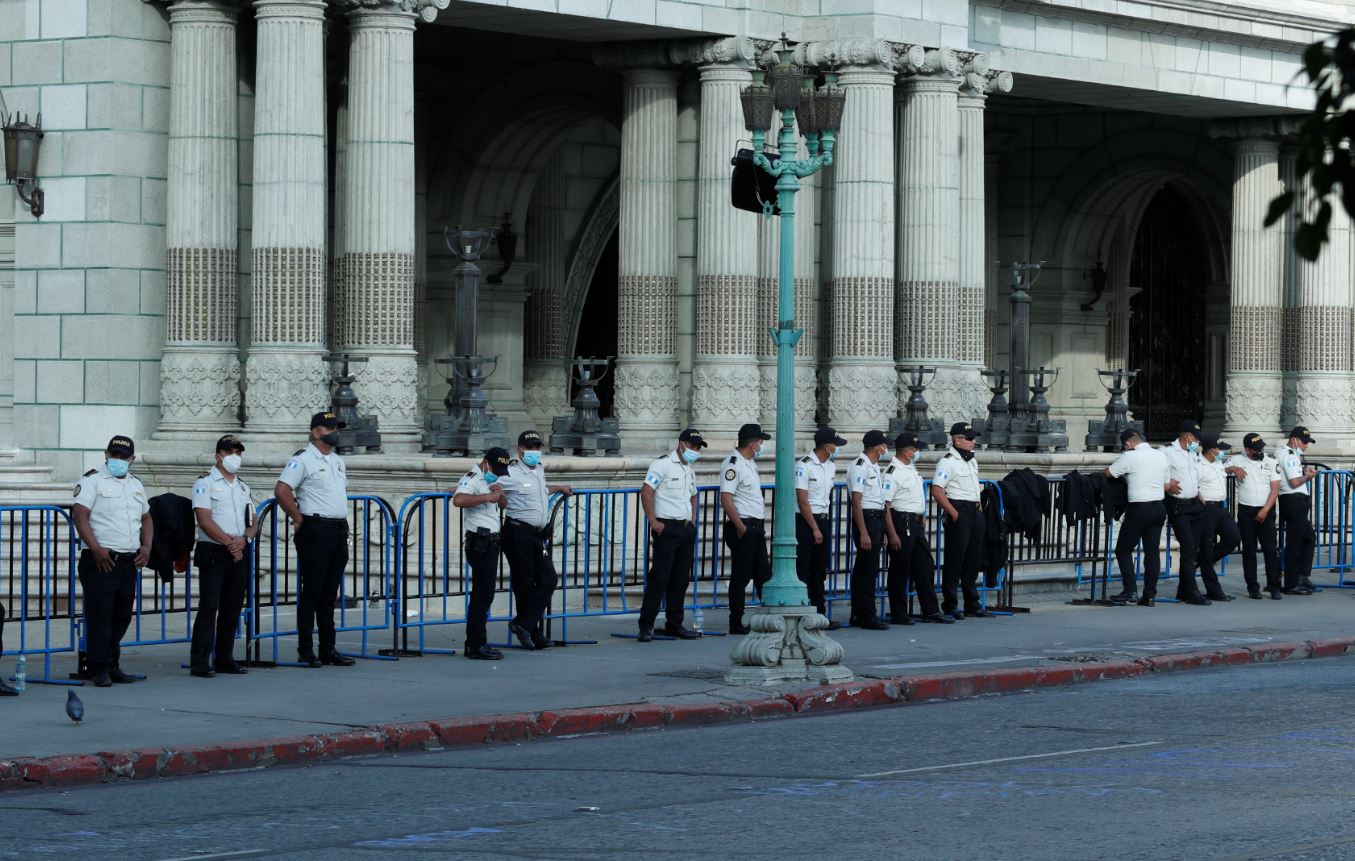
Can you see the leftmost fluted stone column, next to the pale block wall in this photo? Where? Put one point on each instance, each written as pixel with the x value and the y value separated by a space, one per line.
pixel 200 368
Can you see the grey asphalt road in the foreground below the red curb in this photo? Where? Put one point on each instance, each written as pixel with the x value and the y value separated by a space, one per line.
pixel 1242 764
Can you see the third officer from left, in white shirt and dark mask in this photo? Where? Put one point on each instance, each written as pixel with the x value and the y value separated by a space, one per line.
pixel 314 492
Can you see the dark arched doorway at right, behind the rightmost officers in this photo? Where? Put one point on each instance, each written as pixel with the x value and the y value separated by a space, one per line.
pixel 1167 340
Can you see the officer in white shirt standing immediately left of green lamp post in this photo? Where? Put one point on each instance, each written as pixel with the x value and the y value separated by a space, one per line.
pixel 746 534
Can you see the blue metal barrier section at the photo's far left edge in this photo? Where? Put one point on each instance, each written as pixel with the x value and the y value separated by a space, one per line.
pixel 39 551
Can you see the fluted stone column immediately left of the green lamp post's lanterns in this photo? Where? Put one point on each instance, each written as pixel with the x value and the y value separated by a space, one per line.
pixel 730 327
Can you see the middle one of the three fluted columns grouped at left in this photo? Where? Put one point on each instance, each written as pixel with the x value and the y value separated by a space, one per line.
pixel 285 374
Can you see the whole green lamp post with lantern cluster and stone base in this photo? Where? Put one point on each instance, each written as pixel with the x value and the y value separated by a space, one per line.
pixel 787 641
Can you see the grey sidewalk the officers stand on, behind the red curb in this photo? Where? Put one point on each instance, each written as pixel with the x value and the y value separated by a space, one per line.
pixel 174 711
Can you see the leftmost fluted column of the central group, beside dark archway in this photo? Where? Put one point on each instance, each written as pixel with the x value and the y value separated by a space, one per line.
pixel 647 327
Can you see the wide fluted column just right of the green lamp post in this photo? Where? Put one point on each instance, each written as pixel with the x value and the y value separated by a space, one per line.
pixel 861 374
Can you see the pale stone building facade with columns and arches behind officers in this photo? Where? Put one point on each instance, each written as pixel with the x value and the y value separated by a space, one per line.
pixel 236 191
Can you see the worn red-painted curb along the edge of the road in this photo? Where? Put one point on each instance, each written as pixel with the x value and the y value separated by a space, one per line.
pixel 116 767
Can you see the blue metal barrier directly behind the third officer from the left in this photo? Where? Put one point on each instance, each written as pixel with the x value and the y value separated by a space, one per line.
pixel 365 593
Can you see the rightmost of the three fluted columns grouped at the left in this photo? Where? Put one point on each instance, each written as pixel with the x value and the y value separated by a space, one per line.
pixel 375 272
